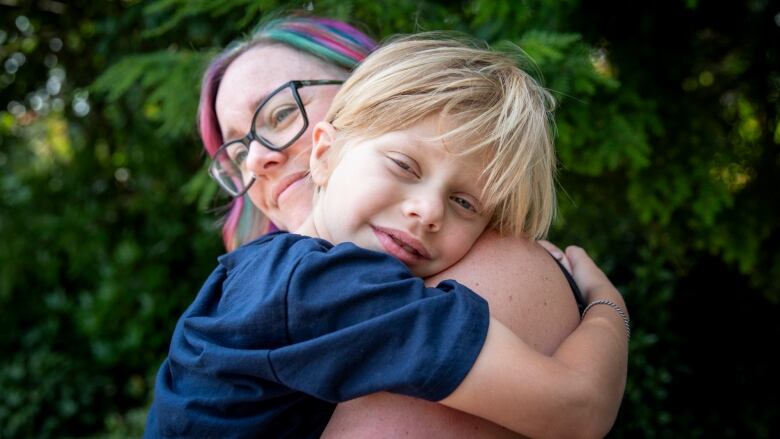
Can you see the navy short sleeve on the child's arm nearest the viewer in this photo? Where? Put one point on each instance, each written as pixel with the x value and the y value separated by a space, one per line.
pixel 359 322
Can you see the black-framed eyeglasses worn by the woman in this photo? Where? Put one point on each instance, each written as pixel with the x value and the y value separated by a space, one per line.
pixel 278 122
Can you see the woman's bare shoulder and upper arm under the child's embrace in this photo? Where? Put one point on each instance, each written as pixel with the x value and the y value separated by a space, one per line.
pixel 526 292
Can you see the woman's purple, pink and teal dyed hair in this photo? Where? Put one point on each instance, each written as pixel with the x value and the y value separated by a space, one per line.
pixel 336 42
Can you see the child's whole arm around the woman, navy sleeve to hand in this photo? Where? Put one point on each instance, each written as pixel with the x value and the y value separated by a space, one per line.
pixel 359 324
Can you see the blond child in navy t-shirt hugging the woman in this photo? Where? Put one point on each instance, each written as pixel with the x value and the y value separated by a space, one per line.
pixel 427 144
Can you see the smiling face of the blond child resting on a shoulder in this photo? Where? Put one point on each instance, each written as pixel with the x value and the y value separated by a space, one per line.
pixel 400 193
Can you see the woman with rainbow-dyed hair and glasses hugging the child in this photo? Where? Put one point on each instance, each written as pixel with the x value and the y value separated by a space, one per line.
pixel 295 64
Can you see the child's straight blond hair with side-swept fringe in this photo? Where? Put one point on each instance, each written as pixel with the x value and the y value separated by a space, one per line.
pixel 494 107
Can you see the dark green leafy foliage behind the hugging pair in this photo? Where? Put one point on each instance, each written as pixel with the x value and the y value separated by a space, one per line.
pixel 667 133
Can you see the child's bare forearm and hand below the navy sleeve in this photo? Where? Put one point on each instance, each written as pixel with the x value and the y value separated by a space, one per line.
pixel 521 389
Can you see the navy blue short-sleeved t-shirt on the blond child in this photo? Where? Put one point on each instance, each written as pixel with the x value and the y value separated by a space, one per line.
pixel 286 326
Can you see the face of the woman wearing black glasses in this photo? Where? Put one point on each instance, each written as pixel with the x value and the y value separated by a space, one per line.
pixel 282 189
